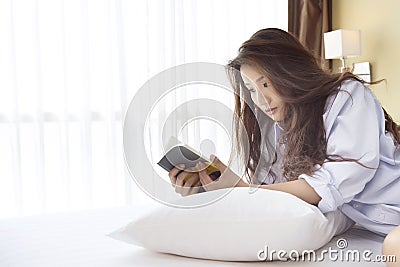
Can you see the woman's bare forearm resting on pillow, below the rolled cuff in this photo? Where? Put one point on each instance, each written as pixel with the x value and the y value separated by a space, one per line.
pixel 299 188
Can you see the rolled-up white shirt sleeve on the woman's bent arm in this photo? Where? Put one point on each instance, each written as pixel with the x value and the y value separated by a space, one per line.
pixel 352 131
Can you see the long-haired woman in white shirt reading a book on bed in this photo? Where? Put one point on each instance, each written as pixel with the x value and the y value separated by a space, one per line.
pixel 337 148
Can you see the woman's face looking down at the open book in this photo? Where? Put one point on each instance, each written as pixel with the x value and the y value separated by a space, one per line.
pixel 262 92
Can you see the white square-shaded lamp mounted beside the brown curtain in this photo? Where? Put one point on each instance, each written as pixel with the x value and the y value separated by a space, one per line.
pixel 341 44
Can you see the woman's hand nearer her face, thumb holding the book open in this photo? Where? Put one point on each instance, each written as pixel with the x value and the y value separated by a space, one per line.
pixel 227 179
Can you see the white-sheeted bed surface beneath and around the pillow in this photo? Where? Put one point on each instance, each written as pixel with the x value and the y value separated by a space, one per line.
pixel 80 239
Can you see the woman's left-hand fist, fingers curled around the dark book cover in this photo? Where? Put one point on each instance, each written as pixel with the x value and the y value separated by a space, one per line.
pixel 183 185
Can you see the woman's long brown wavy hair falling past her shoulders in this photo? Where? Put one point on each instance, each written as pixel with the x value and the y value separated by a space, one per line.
pixel 304 87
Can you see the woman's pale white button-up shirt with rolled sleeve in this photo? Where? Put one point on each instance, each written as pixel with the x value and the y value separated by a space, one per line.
pixel 355 128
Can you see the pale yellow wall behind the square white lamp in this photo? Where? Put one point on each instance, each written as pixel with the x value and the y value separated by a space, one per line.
pixel 379 22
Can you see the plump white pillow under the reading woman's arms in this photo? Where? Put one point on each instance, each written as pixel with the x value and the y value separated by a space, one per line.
pixel 241 226
